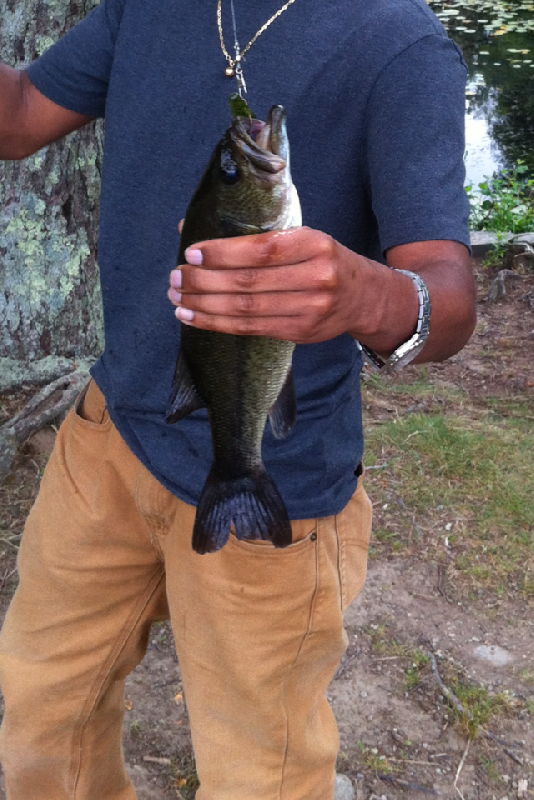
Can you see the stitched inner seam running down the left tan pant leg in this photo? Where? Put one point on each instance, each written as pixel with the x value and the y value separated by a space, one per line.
pixel 98 684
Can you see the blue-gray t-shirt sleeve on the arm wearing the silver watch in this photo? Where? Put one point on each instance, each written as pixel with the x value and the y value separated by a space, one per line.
pixel 415 145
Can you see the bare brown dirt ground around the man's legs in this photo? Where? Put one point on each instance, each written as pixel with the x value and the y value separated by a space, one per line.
pixel 401 737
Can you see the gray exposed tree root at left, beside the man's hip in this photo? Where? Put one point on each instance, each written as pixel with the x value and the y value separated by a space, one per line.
pixel 42 409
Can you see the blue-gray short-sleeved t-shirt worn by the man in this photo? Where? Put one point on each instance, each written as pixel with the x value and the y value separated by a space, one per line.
pixel 374 93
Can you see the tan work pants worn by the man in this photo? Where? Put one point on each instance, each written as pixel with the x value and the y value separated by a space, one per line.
pixel 107 551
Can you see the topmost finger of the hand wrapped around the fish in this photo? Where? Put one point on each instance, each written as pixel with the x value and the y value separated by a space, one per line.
pixel 261 250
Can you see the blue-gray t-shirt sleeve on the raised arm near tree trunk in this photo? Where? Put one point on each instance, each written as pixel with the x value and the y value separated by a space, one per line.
pixel 75 71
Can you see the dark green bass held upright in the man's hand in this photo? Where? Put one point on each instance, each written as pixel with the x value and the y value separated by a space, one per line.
pixel 241 380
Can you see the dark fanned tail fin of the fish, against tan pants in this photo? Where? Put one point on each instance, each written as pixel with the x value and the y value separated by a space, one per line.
pixel 253 504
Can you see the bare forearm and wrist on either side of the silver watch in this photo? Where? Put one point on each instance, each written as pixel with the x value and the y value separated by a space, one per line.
pixel 393 304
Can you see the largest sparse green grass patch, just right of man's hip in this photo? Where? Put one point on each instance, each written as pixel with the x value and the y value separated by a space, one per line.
pixel 465 483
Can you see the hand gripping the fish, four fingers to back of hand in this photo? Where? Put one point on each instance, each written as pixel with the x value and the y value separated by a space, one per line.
pixel 283 284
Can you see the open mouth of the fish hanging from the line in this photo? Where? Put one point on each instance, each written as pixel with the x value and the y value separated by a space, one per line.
pixel 263 144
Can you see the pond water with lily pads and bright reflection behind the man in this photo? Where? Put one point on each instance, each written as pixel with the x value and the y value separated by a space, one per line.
pixel 497 39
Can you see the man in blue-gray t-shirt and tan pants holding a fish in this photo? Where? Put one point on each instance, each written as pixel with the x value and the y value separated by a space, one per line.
pixel 374 96
